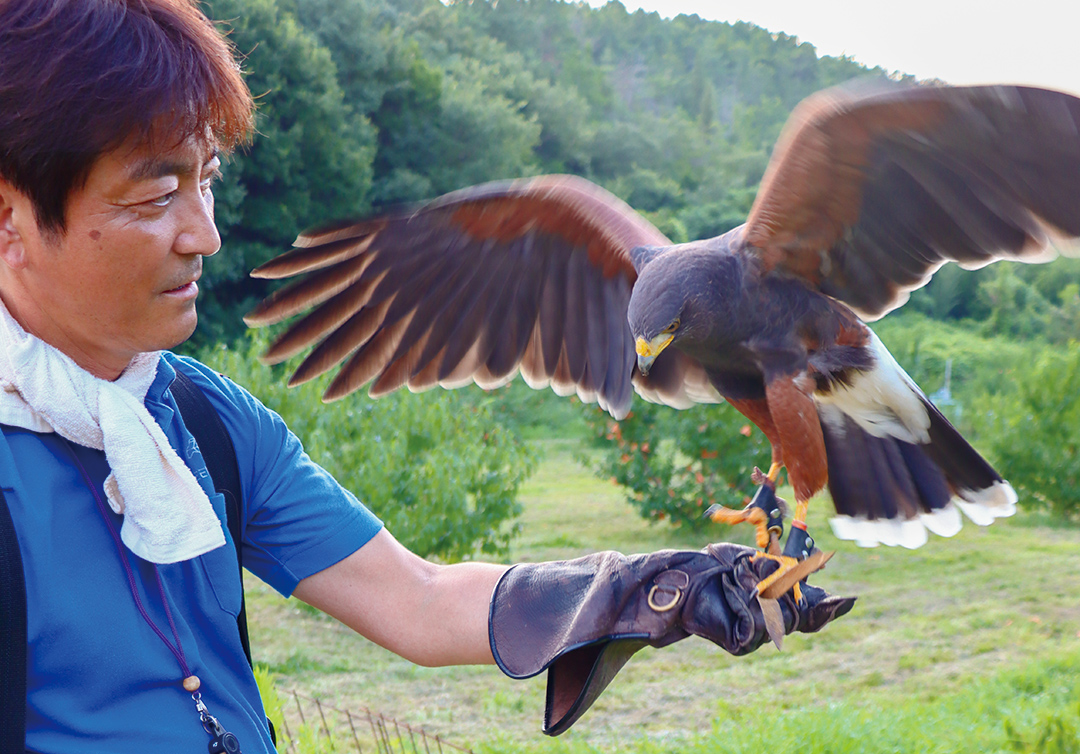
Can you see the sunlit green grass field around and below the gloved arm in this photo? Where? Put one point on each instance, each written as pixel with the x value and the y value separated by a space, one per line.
pixel 970 644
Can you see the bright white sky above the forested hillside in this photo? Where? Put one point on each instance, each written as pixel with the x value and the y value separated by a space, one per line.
pixel 1015 42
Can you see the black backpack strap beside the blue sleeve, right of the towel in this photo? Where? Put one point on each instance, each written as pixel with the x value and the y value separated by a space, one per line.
pixel 215 445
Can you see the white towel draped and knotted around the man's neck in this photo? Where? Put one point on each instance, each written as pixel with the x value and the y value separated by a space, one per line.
pixel 168 517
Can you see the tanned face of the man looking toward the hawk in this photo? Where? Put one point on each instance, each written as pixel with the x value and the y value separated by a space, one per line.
pixel 121 280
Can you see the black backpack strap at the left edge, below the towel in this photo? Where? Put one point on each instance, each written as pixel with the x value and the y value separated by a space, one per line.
pixel 13 645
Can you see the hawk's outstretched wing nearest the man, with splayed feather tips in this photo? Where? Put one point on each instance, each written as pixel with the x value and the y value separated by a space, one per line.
pixel 532 275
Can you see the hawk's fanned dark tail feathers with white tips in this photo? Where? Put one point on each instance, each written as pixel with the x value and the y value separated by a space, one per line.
pixel 890 490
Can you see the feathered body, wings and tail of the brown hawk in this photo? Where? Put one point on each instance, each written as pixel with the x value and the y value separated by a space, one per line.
pixel 868 194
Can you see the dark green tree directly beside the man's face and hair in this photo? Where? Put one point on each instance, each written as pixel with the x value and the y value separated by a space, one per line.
pixel 312 158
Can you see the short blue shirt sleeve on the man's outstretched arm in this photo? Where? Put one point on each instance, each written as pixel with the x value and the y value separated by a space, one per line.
pixel 299 520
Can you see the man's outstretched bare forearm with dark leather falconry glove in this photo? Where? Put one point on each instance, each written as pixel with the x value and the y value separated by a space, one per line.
pixel 582 621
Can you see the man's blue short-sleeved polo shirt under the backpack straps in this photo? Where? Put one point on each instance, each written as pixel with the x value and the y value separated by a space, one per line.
pixel 100 680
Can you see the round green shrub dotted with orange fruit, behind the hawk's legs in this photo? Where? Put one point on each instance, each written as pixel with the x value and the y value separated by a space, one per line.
pixel 676 464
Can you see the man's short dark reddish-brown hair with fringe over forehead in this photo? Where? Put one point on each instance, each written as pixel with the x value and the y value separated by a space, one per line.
pixel 79 78
